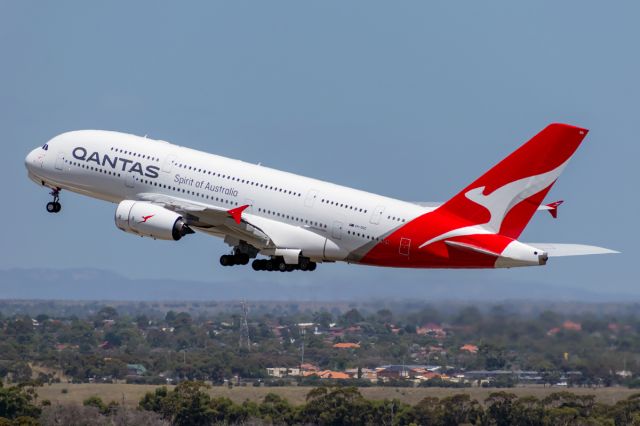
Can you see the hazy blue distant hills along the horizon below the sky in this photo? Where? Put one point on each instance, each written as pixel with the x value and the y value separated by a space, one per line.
pixel 95 284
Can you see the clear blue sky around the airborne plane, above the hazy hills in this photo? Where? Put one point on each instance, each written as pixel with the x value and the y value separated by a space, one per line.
pixel 409 99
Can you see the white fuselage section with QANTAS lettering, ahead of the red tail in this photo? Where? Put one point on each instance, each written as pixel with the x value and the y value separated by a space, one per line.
pixel 115 166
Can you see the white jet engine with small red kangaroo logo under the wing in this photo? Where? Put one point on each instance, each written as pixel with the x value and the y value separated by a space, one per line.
pixel 150 220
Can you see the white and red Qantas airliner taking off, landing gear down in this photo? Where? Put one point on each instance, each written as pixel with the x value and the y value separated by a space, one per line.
pixel 165 191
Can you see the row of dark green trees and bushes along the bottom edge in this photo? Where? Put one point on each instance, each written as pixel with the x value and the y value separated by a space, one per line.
pixel 189 404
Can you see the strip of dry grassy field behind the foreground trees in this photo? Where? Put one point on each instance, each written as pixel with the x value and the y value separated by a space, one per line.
pixel 131 394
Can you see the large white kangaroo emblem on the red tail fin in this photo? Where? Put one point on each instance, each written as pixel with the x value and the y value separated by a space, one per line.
pixel 500 202
